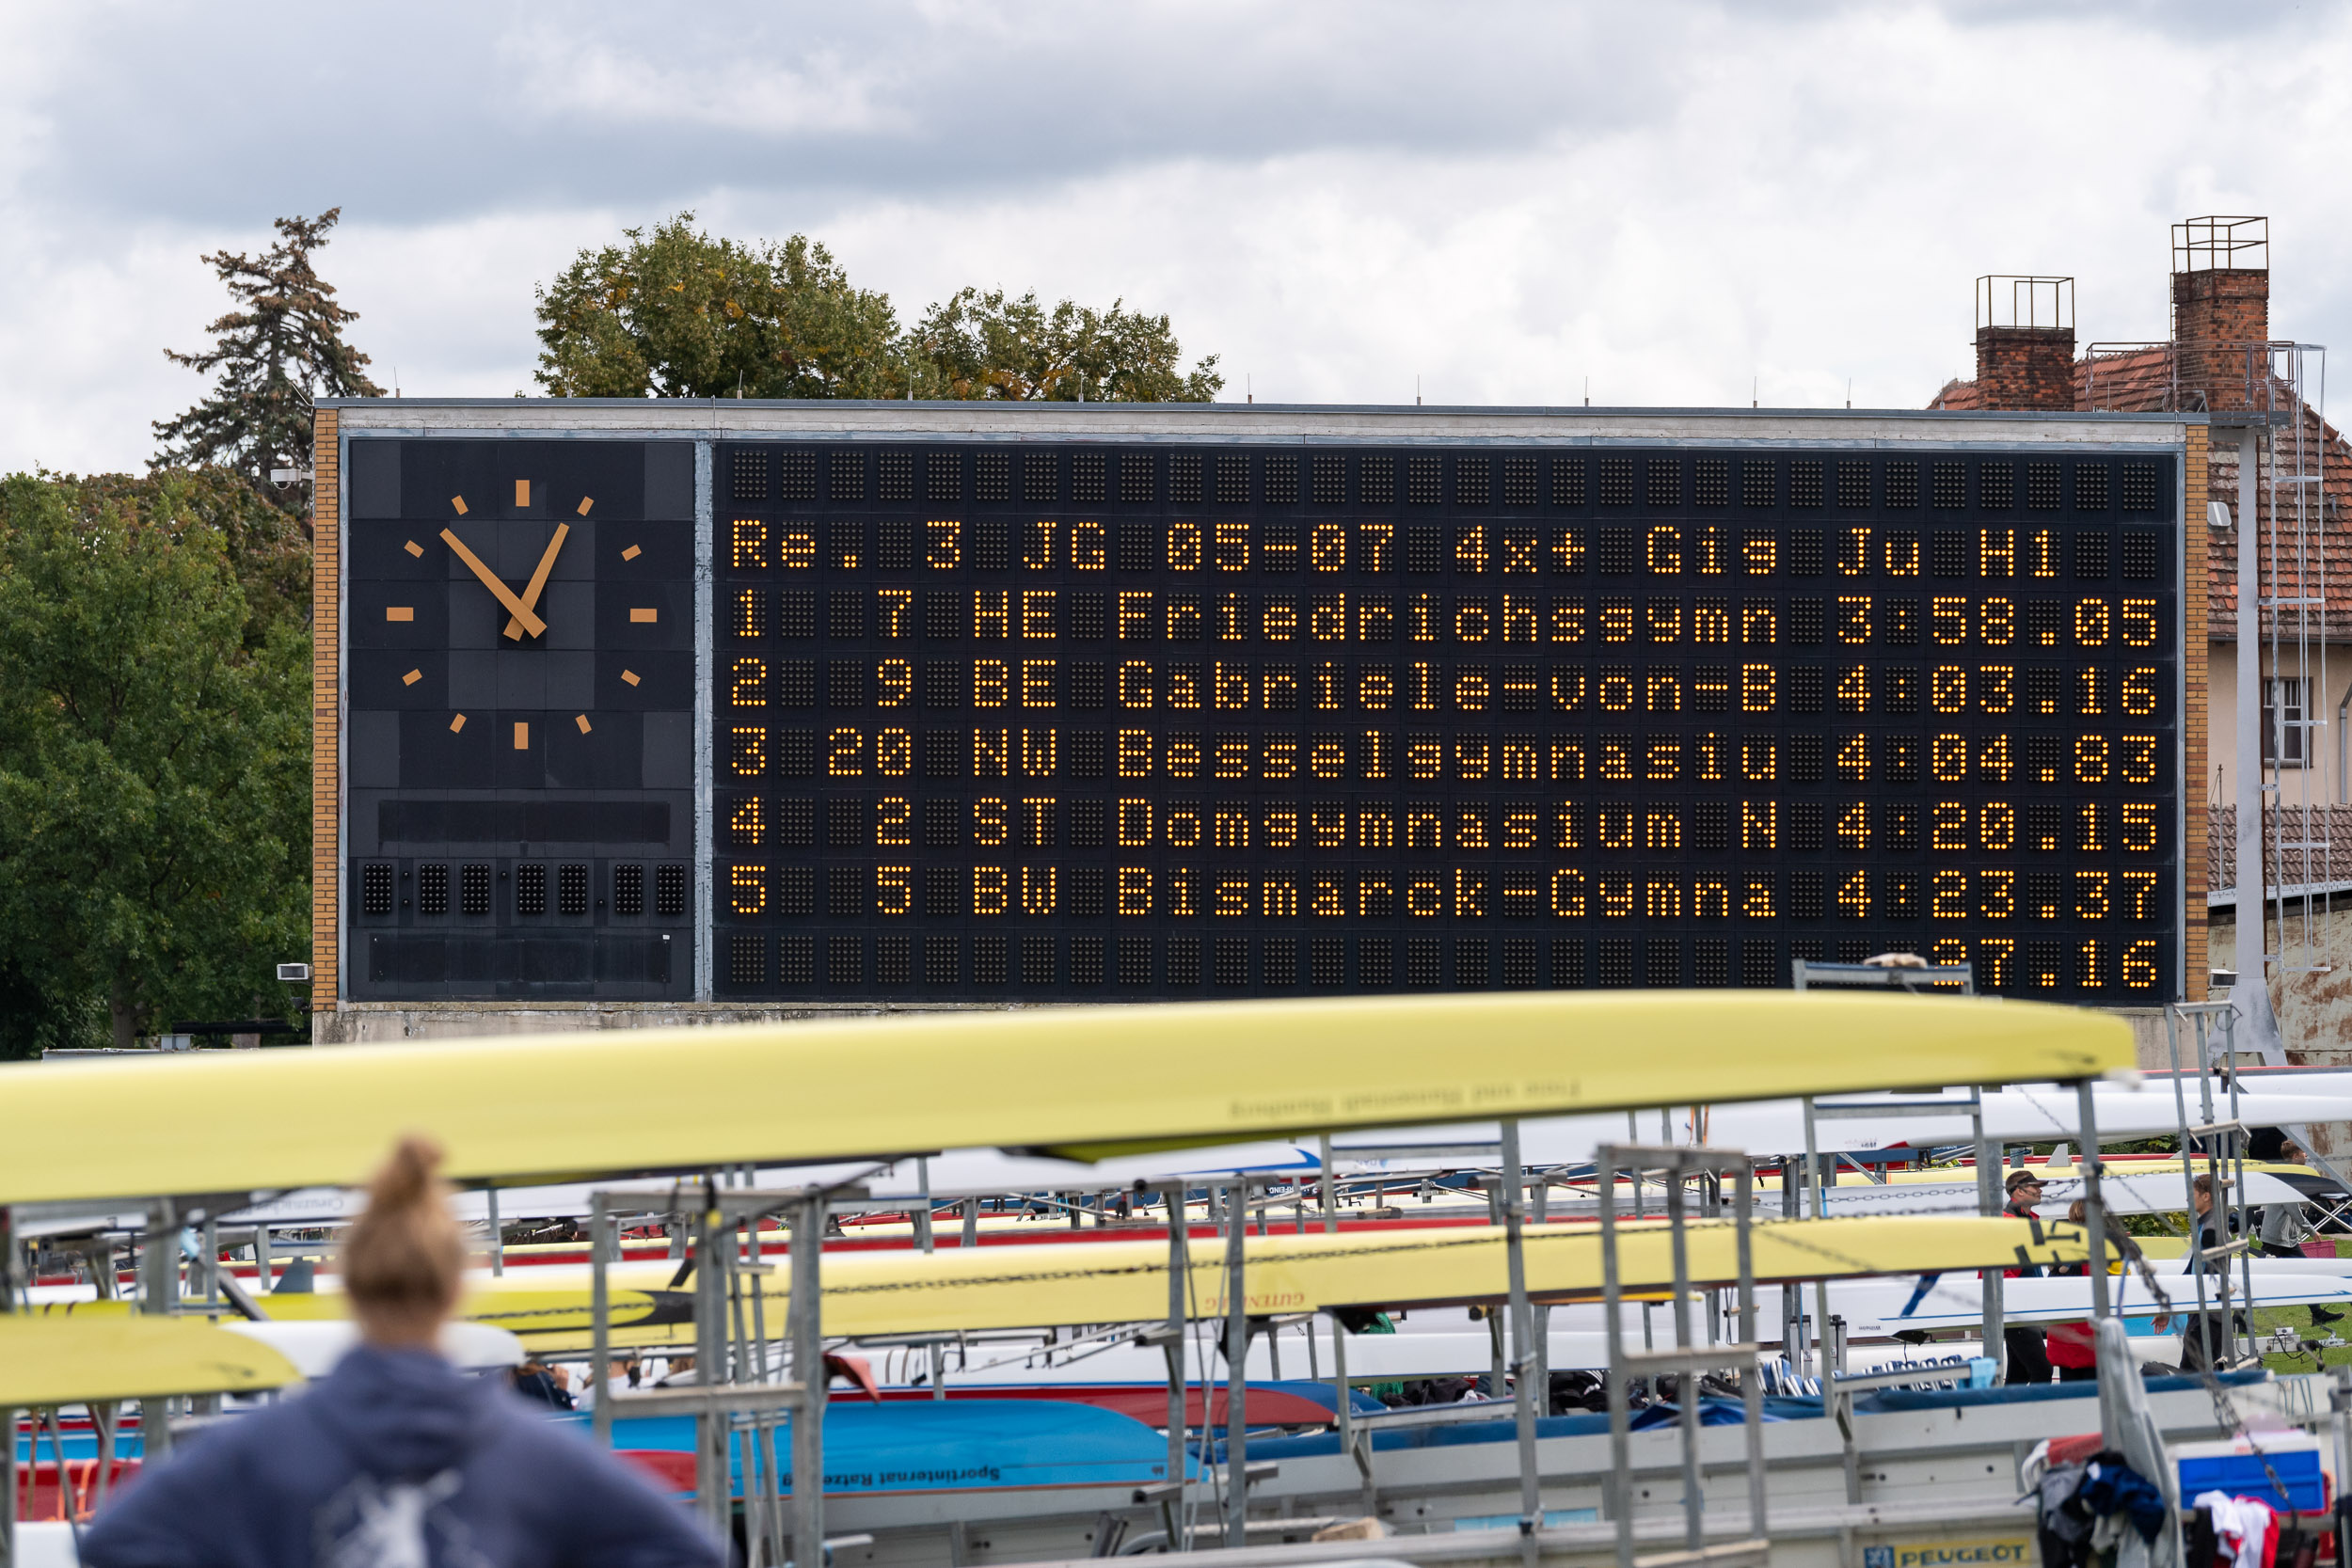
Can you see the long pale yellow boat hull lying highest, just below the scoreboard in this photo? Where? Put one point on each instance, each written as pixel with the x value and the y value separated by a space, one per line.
pixel 1081 1083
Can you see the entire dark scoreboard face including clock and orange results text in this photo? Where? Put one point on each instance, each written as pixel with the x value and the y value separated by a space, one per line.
pixel 933 718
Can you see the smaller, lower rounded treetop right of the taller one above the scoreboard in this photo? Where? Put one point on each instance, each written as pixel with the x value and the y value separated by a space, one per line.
pixel 1015 349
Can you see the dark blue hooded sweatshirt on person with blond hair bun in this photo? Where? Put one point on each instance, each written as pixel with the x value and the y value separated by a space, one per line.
pixel 396 1461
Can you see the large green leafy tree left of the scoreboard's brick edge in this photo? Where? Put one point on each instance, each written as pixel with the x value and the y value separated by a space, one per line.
pixel 154 765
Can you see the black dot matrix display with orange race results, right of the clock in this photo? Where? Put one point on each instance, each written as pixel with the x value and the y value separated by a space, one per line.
pixel 1081 721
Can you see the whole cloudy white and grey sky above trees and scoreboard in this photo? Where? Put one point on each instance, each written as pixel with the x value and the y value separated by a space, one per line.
pixel 1509 203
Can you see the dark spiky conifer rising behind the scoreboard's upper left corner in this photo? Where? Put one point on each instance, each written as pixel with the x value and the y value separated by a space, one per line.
pixel 274 354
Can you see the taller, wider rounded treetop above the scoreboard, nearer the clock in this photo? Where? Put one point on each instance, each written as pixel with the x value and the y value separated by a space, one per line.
pixel 688 316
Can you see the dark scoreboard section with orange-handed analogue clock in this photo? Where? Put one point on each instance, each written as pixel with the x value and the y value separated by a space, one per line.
pixel 521 803
